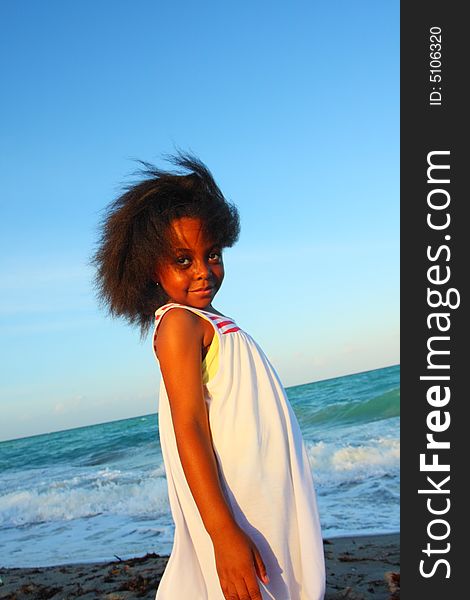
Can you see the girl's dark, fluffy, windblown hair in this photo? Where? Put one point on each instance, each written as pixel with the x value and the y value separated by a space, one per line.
pixel 135 233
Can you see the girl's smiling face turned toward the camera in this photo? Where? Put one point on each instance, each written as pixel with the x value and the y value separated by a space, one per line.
pixel 195 271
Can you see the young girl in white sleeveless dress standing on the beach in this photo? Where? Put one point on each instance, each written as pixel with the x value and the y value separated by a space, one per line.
pixel 239 482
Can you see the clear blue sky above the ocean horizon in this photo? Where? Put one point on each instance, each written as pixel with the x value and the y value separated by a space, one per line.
pixel 295 109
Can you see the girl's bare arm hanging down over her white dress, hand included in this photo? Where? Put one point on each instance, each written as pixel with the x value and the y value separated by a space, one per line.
pixel 178 345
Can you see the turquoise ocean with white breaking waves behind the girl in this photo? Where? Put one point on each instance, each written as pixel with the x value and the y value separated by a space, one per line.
pixel 97 492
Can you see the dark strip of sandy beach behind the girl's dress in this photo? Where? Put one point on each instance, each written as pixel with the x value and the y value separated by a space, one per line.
pixel 362 567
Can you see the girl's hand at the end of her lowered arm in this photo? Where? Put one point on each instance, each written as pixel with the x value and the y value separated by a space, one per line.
pixel 238 562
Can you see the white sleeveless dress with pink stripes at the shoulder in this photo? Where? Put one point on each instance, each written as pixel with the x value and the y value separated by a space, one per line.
pixel 264 473
